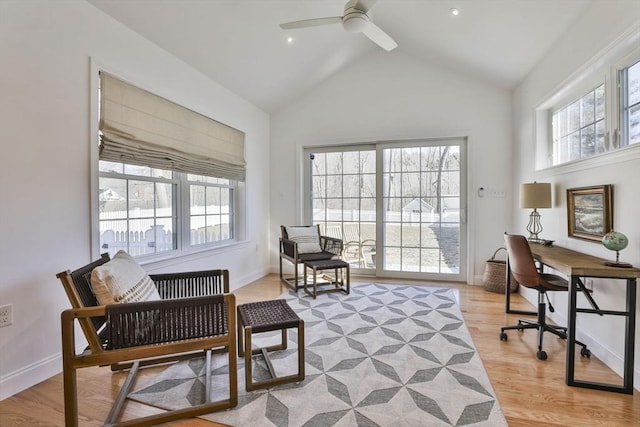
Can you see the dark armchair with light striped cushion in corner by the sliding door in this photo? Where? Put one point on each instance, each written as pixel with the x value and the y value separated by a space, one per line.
pixel 305 243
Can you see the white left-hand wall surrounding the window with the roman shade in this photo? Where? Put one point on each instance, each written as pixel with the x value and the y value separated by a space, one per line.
pixel 44 169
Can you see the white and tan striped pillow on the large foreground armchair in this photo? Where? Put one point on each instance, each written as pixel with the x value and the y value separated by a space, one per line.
pixel 122 280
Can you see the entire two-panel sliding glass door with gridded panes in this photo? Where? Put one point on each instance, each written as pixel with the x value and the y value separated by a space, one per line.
pixel 399 207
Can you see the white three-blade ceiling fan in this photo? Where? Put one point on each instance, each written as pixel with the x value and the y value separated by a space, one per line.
pixel 354 20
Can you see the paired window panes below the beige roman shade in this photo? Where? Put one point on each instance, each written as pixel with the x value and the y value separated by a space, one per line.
pixel 139 210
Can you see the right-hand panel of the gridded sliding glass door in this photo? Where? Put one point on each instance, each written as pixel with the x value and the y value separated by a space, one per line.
pixel 421 203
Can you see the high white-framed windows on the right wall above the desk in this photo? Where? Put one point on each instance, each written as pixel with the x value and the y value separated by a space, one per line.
pixel 597 111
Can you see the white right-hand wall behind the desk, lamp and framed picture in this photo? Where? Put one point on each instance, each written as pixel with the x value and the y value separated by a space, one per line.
pixel 588 38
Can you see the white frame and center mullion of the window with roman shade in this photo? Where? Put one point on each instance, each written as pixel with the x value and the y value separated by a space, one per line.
pixel 183 246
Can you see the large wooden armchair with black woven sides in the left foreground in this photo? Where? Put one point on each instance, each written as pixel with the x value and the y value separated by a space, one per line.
pixel 184 315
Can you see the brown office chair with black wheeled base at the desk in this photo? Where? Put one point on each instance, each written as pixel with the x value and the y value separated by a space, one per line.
pixel 526 273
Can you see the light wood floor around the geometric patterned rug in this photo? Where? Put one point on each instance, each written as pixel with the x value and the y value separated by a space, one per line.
pixel 531 392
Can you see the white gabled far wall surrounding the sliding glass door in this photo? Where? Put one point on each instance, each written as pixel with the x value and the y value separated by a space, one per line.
pixel 391 96
